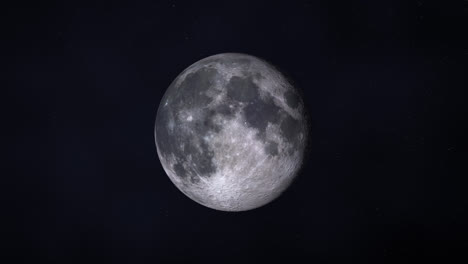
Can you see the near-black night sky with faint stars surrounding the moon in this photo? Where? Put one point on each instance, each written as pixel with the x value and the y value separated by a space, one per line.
pixel 384 81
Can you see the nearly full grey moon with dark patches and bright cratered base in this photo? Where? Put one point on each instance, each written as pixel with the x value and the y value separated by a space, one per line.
pixel 230 132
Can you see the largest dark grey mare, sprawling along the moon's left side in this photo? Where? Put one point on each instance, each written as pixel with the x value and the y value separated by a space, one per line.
pixel 188 95
